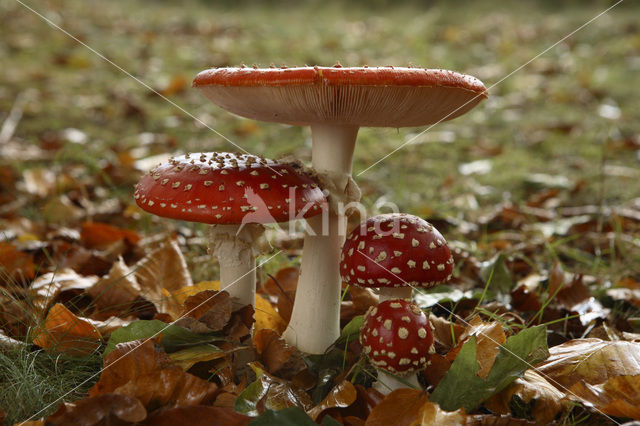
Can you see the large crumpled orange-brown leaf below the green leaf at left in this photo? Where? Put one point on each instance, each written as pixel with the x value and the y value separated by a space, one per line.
pixel 144 371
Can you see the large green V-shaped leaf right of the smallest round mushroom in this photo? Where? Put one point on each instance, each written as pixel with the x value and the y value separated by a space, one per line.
pixel 461 387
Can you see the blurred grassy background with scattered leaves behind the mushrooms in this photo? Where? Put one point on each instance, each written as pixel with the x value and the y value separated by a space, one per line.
pixel 77 130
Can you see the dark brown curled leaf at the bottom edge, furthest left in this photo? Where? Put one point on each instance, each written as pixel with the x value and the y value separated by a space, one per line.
pixel 102 409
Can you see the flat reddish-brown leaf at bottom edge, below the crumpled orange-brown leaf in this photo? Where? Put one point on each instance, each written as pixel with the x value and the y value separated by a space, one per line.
pixel 197 416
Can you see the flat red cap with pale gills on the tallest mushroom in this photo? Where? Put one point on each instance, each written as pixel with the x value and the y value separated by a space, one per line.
pixel 361 96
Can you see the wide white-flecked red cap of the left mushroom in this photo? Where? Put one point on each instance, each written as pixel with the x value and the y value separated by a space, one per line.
pixel 225 188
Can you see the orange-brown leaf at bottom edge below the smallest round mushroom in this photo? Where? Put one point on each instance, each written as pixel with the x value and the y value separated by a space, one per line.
pixel 401 407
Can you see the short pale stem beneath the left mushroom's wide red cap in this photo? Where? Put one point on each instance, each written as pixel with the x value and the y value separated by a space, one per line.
pixel 236 247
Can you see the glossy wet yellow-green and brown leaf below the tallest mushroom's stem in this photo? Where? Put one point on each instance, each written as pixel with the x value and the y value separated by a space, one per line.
pixel 270 393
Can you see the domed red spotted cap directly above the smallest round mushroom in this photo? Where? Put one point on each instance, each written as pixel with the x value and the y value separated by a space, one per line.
pixel 394 250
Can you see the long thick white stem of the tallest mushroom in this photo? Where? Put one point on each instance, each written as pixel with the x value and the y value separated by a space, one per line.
pixel 315 320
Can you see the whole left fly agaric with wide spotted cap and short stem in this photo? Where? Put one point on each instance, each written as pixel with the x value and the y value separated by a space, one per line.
pixel 236 194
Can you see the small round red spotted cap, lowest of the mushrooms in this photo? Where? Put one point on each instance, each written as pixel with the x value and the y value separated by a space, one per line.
pixel 396 336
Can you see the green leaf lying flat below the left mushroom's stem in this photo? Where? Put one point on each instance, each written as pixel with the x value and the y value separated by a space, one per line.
pixel 173 337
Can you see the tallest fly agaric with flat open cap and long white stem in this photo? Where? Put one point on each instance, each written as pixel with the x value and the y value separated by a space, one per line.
pixel 335 102
